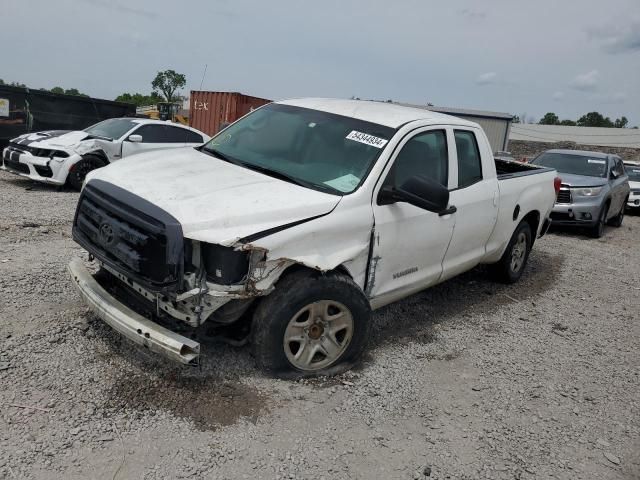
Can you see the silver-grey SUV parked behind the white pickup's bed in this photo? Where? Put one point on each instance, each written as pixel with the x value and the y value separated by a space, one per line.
pixel 594 189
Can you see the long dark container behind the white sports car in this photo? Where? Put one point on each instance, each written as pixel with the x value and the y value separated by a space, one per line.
pixel 23 110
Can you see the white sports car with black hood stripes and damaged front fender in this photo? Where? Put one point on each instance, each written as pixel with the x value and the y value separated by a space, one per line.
pixel 60 156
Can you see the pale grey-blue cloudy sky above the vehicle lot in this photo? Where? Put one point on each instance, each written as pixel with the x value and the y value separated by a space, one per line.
pixel 569 57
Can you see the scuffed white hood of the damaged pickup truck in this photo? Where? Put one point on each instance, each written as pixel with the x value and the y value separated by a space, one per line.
pixel 215 201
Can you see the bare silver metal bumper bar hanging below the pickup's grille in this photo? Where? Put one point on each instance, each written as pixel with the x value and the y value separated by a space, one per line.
pixel 129 323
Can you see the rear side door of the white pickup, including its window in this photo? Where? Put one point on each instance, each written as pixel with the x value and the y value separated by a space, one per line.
pixel 475 195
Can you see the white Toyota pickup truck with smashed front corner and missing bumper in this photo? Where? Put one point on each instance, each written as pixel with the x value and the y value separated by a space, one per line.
pixel 296 221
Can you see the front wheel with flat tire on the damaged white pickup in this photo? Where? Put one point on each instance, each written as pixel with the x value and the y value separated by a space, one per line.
pixel 311 325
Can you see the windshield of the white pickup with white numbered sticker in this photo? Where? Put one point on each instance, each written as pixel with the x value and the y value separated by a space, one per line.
pixel 316 149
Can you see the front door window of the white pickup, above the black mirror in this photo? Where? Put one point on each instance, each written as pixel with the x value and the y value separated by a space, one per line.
pixel 425 154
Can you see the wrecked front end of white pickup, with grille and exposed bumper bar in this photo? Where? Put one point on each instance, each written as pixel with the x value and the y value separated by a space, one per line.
pixel 148 270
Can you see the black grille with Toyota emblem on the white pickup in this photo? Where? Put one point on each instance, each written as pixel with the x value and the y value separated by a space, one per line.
pixel 133 236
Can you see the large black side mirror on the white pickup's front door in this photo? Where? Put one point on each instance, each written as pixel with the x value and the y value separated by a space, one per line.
pixel 421 192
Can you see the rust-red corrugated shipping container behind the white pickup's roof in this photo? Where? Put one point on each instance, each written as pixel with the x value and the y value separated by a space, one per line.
pixel 211 110
